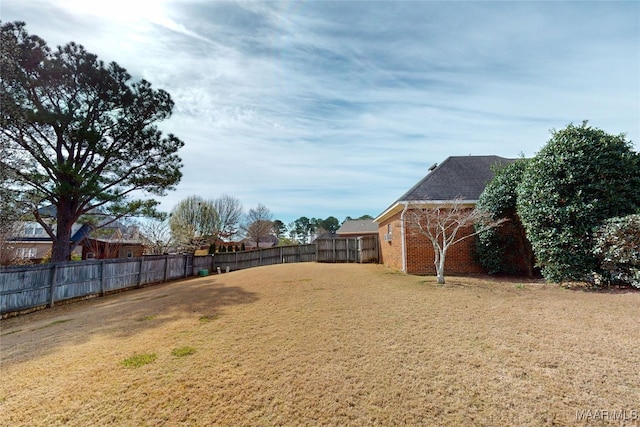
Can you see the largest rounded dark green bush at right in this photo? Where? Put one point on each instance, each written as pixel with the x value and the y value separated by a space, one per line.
pixel 580 178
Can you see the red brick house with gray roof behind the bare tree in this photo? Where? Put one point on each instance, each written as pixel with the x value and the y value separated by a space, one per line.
pixel 457 178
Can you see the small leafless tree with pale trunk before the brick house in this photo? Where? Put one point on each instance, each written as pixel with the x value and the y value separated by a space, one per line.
pixel 441 224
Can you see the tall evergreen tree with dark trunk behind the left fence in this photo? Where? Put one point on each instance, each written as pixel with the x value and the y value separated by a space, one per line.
pixel 81 136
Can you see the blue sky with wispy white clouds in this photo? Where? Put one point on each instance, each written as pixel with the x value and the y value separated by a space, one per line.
pixel 323 108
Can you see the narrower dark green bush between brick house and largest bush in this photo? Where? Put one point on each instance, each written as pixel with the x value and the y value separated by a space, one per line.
pixel 505 249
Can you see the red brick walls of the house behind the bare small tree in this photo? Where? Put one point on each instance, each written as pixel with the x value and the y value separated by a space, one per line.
pixel 420 255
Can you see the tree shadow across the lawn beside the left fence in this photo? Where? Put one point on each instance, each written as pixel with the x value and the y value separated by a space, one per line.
pixel 120 315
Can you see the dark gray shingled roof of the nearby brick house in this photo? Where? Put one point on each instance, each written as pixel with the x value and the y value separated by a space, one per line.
pixel 462 177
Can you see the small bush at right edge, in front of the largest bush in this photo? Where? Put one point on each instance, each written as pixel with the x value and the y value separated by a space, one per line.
pixel 617 248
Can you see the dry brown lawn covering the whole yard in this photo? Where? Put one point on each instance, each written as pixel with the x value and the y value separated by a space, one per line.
pixel 327 344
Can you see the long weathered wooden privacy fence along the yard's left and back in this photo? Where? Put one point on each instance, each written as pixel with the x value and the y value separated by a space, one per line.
pixel 32 286
